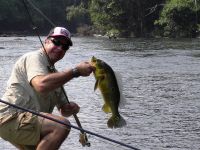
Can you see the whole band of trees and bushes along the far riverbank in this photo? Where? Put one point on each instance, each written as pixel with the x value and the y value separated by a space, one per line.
pixel 113 18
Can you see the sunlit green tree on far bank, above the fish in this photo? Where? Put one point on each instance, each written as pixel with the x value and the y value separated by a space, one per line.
pixel 107 16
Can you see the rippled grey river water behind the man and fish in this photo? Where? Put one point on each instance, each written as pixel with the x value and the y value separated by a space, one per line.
pixel 161 86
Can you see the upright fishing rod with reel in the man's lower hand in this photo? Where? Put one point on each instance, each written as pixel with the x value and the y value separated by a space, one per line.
pixel 83 137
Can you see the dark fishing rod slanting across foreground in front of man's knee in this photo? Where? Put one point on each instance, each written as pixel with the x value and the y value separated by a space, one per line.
pixel 68 125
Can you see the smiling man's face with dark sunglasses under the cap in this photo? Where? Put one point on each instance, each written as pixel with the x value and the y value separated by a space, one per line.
pixel 56 48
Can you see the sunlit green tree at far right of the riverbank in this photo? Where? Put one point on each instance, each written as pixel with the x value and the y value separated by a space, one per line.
pixel 179 18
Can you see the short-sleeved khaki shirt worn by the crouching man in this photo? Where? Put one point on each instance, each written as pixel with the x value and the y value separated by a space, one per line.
pixel 20 92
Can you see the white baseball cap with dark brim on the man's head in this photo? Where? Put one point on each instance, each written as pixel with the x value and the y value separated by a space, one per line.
pixel 60 31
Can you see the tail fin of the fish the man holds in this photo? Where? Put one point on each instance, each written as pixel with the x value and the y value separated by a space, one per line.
pixel 116 122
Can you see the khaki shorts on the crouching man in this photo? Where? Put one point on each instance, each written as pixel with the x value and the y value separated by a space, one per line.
pixel 23 131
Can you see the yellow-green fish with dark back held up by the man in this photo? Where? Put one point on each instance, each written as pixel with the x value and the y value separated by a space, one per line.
pixel 107 83
